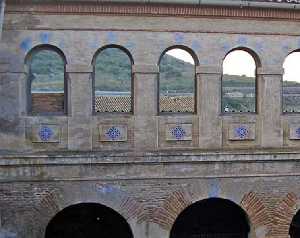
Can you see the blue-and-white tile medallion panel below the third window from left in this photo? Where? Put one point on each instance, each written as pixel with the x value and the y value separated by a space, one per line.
pixel 179 132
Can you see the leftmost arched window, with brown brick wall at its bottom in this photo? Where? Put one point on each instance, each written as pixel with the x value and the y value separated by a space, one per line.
pixel 46 81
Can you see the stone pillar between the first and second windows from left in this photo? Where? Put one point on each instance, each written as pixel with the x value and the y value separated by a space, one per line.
pixel 79 107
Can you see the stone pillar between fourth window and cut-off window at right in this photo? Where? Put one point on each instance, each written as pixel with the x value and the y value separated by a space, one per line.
pixel 269 106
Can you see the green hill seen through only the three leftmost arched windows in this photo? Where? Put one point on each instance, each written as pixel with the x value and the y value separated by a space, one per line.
pixel 113 72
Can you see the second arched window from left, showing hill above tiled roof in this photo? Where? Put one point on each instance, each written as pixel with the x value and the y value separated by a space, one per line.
pixel 113 85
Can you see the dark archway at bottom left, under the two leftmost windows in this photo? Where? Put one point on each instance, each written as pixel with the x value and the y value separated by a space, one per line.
pixel 88 220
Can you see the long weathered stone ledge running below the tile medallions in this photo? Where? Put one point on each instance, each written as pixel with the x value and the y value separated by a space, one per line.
pixel 174 157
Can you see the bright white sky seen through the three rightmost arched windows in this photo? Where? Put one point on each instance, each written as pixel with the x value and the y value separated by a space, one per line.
pixel 241 63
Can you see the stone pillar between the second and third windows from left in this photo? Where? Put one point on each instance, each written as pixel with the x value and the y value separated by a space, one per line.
pixel 145 106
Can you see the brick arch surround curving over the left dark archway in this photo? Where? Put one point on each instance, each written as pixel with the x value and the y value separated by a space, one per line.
pixel 108 195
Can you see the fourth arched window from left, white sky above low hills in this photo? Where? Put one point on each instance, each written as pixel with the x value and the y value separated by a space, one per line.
pixel 239 82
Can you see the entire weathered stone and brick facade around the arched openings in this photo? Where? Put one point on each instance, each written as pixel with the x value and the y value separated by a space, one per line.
pixel 49 162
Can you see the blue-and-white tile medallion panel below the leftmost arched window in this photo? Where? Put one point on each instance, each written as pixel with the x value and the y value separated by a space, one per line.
pixel 45 134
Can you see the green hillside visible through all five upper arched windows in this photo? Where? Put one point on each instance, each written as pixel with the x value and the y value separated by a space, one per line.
pixel 113 73
